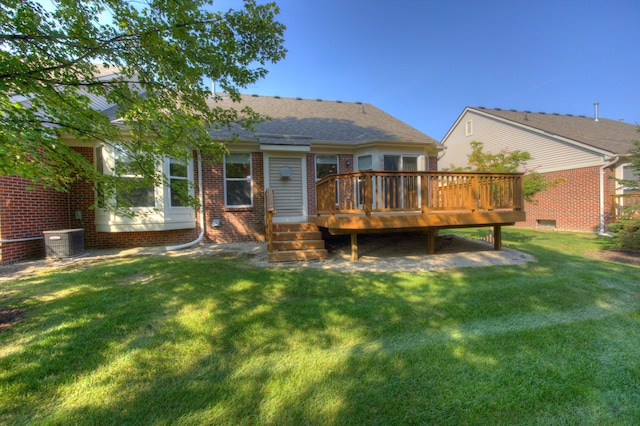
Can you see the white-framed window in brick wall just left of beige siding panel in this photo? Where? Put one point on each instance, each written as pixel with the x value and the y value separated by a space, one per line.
pixel 237 176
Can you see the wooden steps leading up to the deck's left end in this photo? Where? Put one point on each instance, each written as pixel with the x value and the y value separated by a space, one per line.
pixel 296 241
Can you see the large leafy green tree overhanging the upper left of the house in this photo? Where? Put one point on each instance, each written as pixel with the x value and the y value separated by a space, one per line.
pixel 164 51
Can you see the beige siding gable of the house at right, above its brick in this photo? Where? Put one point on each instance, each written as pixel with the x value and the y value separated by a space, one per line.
pixel 549 153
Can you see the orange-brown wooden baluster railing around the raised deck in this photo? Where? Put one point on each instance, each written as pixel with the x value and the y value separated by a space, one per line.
pixel 377 191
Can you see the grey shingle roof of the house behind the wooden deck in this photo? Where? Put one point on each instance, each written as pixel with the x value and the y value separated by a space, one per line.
pixel 323 120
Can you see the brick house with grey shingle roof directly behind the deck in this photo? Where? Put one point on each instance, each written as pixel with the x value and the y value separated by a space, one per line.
pixel 303 141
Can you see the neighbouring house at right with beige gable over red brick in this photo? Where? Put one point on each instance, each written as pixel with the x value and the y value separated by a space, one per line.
pixel 584 151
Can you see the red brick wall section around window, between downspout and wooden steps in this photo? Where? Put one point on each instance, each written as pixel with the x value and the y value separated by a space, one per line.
pixel 236 224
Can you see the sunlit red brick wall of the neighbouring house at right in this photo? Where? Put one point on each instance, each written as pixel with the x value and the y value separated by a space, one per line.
pixel 574 204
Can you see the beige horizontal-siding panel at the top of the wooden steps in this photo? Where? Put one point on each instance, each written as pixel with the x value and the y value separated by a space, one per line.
pixel 288 192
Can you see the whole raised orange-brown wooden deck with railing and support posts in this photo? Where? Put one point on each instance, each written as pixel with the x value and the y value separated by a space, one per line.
pixel 376 201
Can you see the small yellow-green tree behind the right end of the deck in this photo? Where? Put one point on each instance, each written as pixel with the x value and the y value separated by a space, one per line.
pixel 509 162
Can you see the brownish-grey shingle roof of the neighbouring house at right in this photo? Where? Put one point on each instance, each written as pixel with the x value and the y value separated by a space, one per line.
pixel 611 135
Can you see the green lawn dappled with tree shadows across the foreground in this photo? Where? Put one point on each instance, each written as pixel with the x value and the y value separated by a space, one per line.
pixel 162 340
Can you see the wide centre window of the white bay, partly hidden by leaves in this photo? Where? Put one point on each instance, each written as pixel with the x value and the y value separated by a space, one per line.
pixel 137 191
